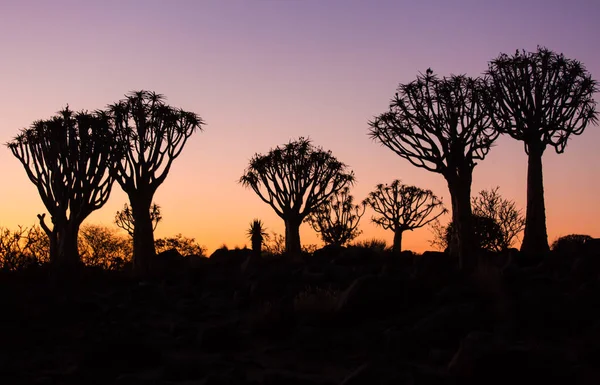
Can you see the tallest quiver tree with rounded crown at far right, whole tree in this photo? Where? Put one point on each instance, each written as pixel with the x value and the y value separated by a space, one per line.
pixel 540 98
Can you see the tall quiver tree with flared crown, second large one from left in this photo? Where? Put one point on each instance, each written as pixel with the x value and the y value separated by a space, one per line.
pixel 156 134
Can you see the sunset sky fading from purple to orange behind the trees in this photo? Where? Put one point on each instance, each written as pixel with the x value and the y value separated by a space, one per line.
pixel 262 72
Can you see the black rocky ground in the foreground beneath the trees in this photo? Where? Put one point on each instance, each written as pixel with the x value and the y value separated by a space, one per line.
pixel 349 317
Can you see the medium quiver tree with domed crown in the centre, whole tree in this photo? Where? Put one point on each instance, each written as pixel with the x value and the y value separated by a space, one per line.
pixel 295 179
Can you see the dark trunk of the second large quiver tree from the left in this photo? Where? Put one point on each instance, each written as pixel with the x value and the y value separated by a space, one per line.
pixel 143 234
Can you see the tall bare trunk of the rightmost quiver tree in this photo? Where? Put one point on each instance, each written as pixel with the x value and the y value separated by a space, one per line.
pixel 535 238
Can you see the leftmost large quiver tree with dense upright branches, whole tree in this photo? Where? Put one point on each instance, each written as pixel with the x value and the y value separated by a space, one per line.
pixel 68 159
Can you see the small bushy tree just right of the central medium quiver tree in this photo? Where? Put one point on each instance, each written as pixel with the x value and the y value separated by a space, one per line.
pixel 336 220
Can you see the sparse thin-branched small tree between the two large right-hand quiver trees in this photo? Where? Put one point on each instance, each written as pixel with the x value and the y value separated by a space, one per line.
pixel 504 212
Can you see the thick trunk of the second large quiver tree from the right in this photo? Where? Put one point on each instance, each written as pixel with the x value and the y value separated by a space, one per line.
pixel 462 244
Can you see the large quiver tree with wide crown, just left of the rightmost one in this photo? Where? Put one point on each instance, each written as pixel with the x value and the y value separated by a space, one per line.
pixel 441 125
